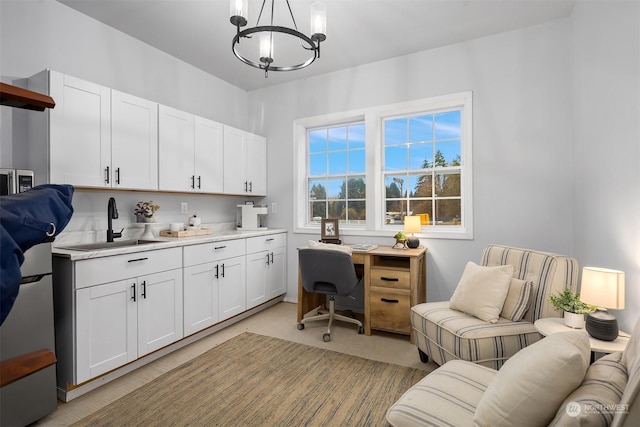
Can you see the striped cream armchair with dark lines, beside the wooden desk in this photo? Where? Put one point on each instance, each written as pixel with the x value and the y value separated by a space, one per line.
pixel 444 334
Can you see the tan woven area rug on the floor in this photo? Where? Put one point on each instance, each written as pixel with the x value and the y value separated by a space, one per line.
pixel 254 380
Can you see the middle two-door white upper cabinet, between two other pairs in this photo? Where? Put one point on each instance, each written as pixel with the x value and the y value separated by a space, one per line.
pixel 190 152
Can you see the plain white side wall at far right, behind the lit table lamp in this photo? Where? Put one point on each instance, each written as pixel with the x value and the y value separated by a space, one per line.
pixel 606 149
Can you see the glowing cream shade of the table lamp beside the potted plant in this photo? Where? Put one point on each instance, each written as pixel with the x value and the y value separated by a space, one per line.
pixel 602 287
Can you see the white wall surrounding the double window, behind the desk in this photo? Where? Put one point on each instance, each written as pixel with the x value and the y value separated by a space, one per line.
pixel 522 138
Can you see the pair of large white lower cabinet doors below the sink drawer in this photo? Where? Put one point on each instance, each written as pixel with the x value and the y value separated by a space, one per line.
pixel 121 321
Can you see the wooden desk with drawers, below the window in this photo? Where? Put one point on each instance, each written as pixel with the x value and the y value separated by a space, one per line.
pixel 394 281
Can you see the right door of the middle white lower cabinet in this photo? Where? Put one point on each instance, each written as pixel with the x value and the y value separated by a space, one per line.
pixel 232 287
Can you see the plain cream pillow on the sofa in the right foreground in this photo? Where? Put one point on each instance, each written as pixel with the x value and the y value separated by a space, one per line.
pixel 532 384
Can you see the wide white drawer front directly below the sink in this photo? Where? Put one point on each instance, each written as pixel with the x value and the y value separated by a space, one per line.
pixel 109 269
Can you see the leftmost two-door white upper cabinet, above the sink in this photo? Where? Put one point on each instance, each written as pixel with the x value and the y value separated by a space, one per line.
pixel 97 137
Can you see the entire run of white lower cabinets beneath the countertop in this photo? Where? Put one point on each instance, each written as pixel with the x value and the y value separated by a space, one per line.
pixel 113 310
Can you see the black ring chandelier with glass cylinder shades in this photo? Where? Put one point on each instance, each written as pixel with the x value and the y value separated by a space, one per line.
pixel 295 49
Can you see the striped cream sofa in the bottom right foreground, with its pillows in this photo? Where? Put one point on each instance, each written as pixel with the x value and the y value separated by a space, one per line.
pixel 548 383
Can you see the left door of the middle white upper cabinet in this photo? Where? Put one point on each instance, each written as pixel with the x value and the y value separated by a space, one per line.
pixel 176 150
